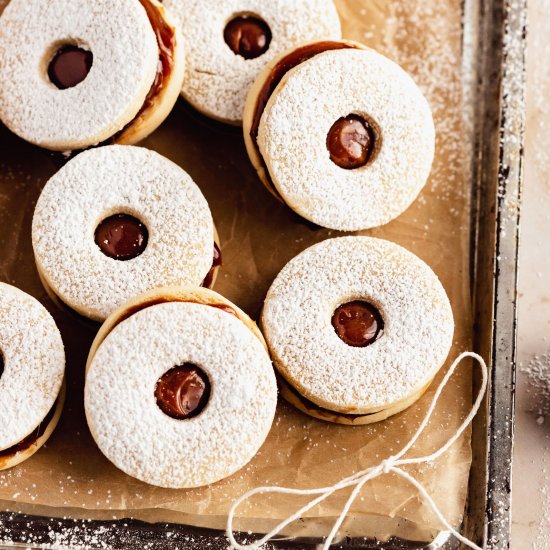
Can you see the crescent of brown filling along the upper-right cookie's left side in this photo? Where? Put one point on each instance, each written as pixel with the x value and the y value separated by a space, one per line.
pixel 283 66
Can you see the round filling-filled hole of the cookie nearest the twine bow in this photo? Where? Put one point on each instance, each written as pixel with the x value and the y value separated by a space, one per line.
pixel 358 323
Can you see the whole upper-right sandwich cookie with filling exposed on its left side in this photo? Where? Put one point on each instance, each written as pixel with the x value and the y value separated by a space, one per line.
pixel 361 143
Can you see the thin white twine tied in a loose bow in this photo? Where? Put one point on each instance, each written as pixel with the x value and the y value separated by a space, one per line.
pixel 391 464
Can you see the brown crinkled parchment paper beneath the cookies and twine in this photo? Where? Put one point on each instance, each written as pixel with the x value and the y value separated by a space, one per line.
pixel 70 477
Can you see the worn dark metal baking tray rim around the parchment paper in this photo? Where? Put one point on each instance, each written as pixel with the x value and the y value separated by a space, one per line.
pixel 493 65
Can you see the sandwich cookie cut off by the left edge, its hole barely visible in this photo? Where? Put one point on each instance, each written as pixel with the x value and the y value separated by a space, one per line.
pixel 32 368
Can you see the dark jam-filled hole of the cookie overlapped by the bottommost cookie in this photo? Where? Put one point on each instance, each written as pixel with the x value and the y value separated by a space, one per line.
pixel 121 237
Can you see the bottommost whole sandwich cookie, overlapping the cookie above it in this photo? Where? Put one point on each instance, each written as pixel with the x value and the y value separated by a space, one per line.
pixel 180 391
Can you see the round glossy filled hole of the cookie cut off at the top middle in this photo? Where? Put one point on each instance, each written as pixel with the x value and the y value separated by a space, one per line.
pixel 248 35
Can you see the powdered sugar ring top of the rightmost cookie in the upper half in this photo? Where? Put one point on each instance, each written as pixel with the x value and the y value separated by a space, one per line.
pixel 309 100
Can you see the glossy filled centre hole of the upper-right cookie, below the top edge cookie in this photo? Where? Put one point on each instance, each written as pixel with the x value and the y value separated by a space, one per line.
pixel 353 141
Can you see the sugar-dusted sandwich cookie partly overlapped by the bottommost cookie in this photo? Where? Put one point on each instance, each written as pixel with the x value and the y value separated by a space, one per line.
pixel 116 221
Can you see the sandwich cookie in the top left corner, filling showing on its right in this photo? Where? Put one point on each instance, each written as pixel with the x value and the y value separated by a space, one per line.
pixel 76 73
